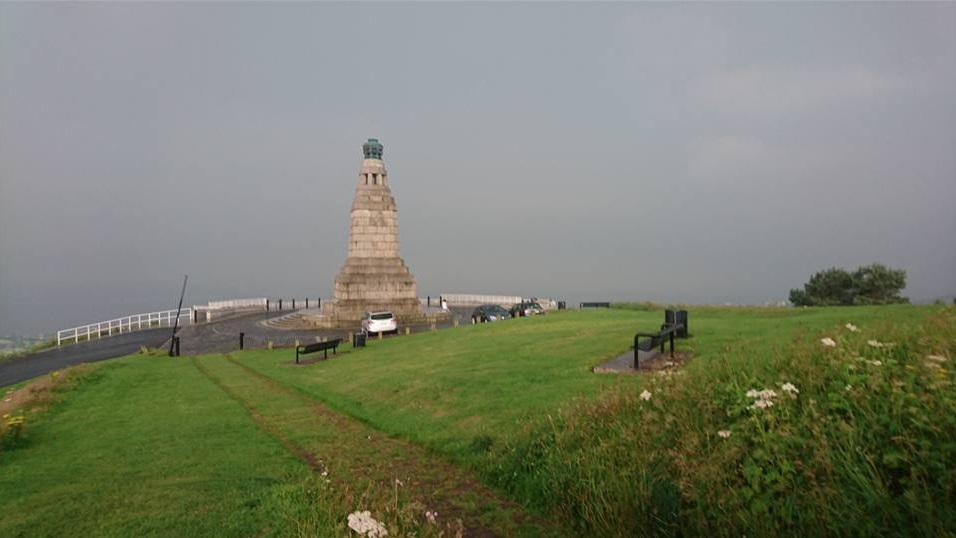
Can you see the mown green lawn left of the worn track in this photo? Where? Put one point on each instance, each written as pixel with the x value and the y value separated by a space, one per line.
pixel 146 447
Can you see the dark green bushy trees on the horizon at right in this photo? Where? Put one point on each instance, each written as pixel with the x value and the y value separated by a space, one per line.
pixel 868 285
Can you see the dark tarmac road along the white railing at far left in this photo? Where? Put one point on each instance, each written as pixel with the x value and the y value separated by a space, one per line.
pixel 37 364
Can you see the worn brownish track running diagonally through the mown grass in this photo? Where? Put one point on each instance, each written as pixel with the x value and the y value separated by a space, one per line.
pixel 360 458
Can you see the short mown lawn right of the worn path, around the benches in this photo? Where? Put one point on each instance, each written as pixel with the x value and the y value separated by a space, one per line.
pixel 456 390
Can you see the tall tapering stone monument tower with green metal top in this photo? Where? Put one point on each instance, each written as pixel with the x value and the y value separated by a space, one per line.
pixel 374 277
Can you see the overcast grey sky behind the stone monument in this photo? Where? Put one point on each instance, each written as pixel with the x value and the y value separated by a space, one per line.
pixel 703 153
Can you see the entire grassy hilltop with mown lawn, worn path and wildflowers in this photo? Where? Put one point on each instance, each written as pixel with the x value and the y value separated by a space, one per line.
pixel 503 430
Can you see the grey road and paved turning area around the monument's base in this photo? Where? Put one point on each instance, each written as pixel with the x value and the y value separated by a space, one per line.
pixel 220 336
